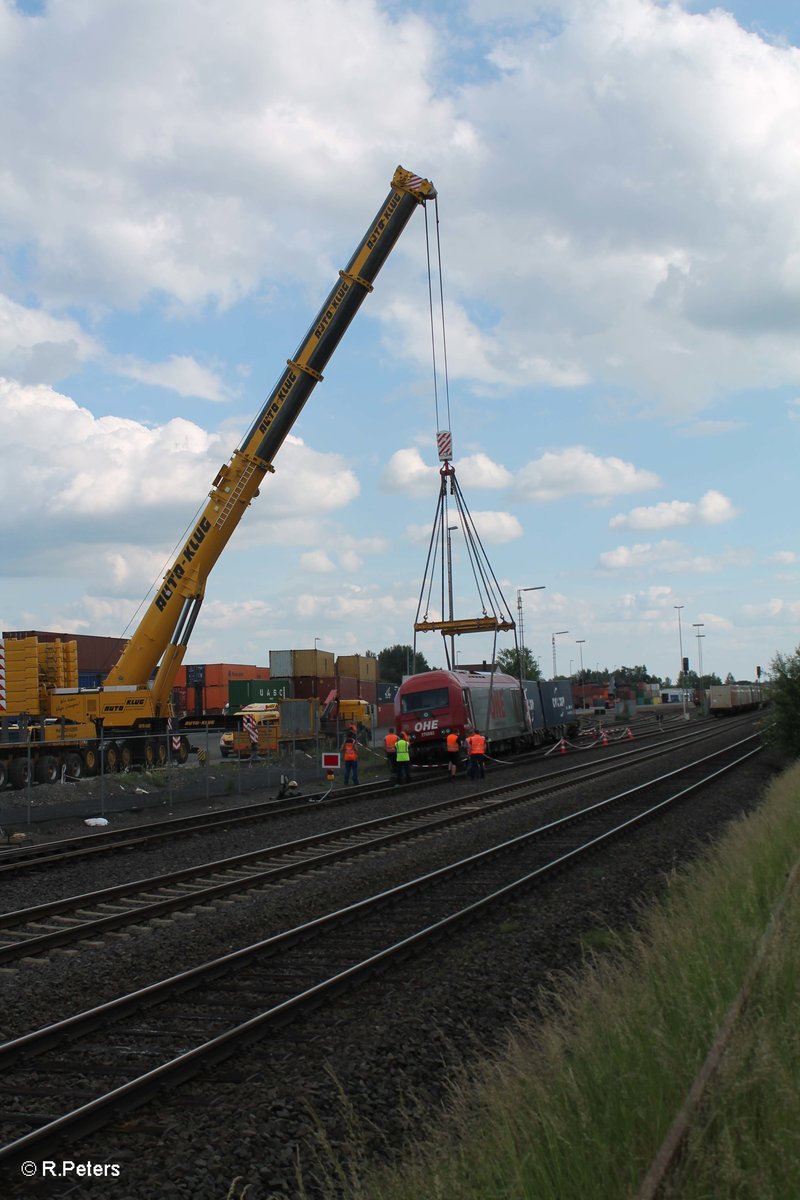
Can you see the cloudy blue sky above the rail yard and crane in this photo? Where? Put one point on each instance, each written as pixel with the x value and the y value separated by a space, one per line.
pixel 618 199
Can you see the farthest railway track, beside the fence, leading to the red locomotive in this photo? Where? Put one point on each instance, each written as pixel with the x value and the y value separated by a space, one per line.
pixel 131 838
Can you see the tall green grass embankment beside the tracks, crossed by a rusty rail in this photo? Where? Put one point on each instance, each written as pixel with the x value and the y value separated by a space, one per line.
pixel 581 1103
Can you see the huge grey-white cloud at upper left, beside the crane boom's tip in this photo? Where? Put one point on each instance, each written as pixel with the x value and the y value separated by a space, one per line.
pixel 161 187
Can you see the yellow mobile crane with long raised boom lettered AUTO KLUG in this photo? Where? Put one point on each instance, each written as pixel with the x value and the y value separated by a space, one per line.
pixel 135 698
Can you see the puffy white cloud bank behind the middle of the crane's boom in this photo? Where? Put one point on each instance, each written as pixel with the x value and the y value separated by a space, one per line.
pixel 112 473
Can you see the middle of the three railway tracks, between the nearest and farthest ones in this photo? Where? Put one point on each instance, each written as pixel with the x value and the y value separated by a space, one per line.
pixel 74 920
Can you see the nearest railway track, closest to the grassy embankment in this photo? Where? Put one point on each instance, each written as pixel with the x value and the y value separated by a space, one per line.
pixel 79 1075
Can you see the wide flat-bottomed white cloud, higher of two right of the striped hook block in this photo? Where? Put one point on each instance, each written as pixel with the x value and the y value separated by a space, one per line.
pixel 579 472
